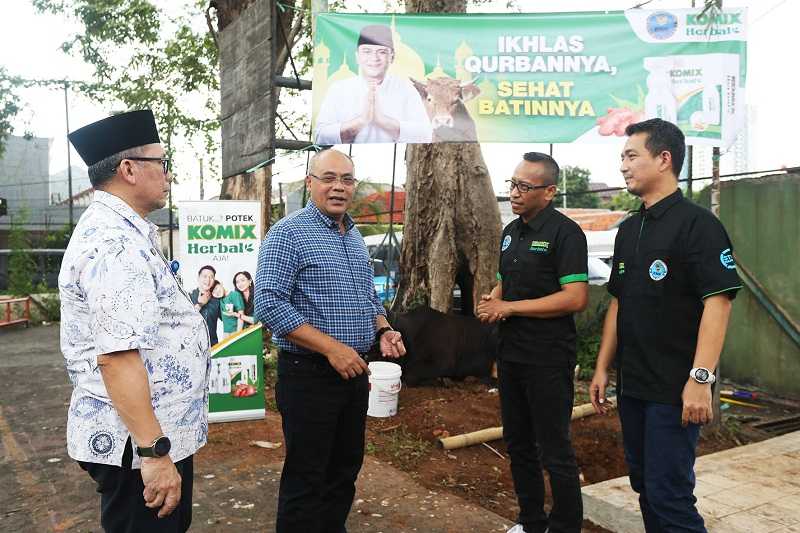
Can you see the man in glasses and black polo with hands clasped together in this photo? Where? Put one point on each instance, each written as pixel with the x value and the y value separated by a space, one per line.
pixel 543 281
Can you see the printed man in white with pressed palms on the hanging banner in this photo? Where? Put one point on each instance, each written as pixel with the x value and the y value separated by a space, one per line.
pixel 374 106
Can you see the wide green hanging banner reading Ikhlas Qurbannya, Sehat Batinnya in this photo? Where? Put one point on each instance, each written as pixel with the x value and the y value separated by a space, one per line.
pixel 534 78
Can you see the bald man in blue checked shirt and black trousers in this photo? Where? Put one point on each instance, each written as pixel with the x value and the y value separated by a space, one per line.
pixel 316 293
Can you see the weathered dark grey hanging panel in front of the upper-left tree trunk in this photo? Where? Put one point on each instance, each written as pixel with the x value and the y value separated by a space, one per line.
pixel 246 89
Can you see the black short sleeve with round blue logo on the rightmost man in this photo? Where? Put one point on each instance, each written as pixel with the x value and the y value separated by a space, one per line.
pixel 712 268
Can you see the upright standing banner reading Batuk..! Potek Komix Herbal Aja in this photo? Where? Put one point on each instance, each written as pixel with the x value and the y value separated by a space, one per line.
pixel 219 242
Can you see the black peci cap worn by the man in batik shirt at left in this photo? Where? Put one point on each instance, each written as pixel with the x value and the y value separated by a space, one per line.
pixel 114 134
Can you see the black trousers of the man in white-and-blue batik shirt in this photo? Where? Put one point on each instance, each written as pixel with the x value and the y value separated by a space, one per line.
pixel 122 508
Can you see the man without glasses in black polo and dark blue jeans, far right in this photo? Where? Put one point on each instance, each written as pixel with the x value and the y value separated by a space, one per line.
pixel 672 283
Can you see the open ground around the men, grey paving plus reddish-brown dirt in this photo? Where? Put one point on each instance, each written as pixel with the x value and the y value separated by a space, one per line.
pixel 236 483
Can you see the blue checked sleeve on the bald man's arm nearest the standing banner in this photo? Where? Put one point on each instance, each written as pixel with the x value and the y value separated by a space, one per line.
pixel 276 276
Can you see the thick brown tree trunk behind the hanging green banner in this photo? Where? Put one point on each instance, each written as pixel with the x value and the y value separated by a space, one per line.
pixel 452 221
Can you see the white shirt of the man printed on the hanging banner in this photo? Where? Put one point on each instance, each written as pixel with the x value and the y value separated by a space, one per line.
pixel 395 97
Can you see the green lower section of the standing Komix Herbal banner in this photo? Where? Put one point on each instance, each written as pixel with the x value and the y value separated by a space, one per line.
pixel 236 384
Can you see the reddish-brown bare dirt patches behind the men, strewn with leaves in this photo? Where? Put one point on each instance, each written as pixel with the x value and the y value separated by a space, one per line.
pixel 479 474
